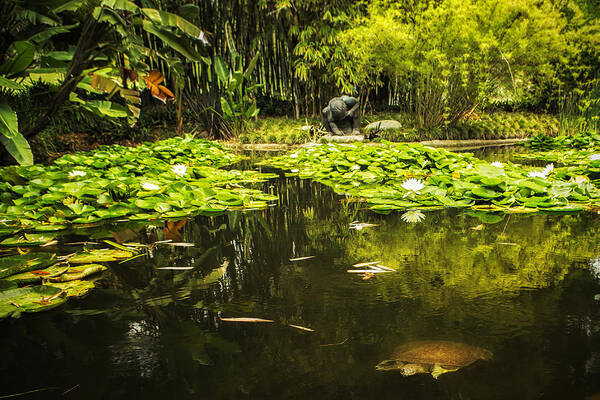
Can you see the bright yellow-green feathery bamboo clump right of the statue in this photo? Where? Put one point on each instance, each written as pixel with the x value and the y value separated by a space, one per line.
pixel 451 57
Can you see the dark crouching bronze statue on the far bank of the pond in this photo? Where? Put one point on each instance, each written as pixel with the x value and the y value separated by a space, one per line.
pixel 342 116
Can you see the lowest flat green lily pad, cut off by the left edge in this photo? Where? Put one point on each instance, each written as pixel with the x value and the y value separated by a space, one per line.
pixel 29 299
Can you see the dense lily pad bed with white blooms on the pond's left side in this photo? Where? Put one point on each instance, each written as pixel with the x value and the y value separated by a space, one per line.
pixel 172 178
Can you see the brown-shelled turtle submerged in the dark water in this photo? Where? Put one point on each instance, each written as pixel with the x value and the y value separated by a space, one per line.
pixel 432 356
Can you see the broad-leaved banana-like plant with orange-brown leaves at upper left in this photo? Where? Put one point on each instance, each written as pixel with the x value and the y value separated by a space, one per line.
pixel 109 58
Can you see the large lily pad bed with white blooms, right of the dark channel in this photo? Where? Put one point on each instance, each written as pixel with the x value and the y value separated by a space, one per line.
pixel 407 176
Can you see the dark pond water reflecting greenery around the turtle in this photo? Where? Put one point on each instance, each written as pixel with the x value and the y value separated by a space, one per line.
pixel 522 287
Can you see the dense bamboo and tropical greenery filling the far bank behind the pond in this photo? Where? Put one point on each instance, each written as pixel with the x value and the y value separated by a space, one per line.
pixel 81 66
